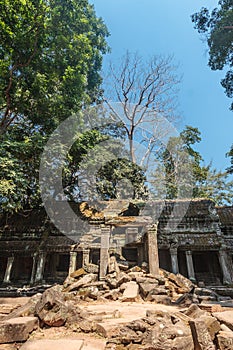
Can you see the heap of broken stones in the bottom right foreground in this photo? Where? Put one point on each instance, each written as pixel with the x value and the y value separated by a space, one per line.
pixel 191 329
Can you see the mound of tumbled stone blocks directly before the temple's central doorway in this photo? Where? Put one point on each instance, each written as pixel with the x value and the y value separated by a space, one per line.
pixel 135 284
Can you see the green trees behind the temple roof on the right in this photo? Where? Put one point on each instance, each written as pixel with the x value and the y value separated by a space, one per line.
pixel 182 173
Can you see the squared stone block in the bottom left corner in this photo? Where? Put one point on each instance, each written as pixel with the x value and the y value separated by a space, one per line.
pixel 17 329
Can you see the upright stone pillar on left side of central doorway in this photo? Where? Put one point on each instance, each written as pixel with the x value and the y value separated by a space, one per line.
pixel 104 251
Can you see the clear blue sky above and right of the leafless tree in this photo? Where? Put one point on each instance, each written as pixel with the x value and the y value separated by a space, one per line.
pixel 164 27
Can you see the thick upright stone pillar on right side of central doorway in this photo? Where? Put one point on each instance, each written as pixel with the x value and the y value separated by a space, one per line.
pixel 153 255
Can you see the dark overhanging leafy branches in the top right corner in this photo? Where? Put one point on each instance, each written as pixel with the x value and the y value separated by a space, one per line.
pixel 218 28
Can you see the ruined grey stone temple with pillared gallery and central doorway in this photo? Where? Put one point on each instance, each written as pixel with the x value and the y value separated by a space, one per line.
pixel 193 237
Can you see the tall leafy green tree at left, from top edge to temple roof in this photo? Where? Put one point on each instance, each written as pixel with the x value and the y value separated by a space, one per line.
pixel 50 61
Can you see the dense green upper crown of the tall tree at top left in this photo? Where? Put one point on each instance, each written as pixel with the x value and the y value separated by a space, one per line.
pixel 50 59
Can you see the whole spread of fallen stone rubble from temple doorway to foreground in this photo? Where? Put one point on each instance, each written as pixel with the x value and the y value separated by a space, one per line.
pixel 197 320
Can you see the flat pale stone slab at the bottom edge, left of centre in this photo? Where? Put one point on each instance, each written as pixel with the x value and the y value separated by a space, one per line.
pixel 58 344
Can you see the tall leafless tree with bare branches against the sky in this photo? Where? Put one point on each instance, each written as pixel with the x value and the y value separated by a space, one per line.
pixel 145 96
